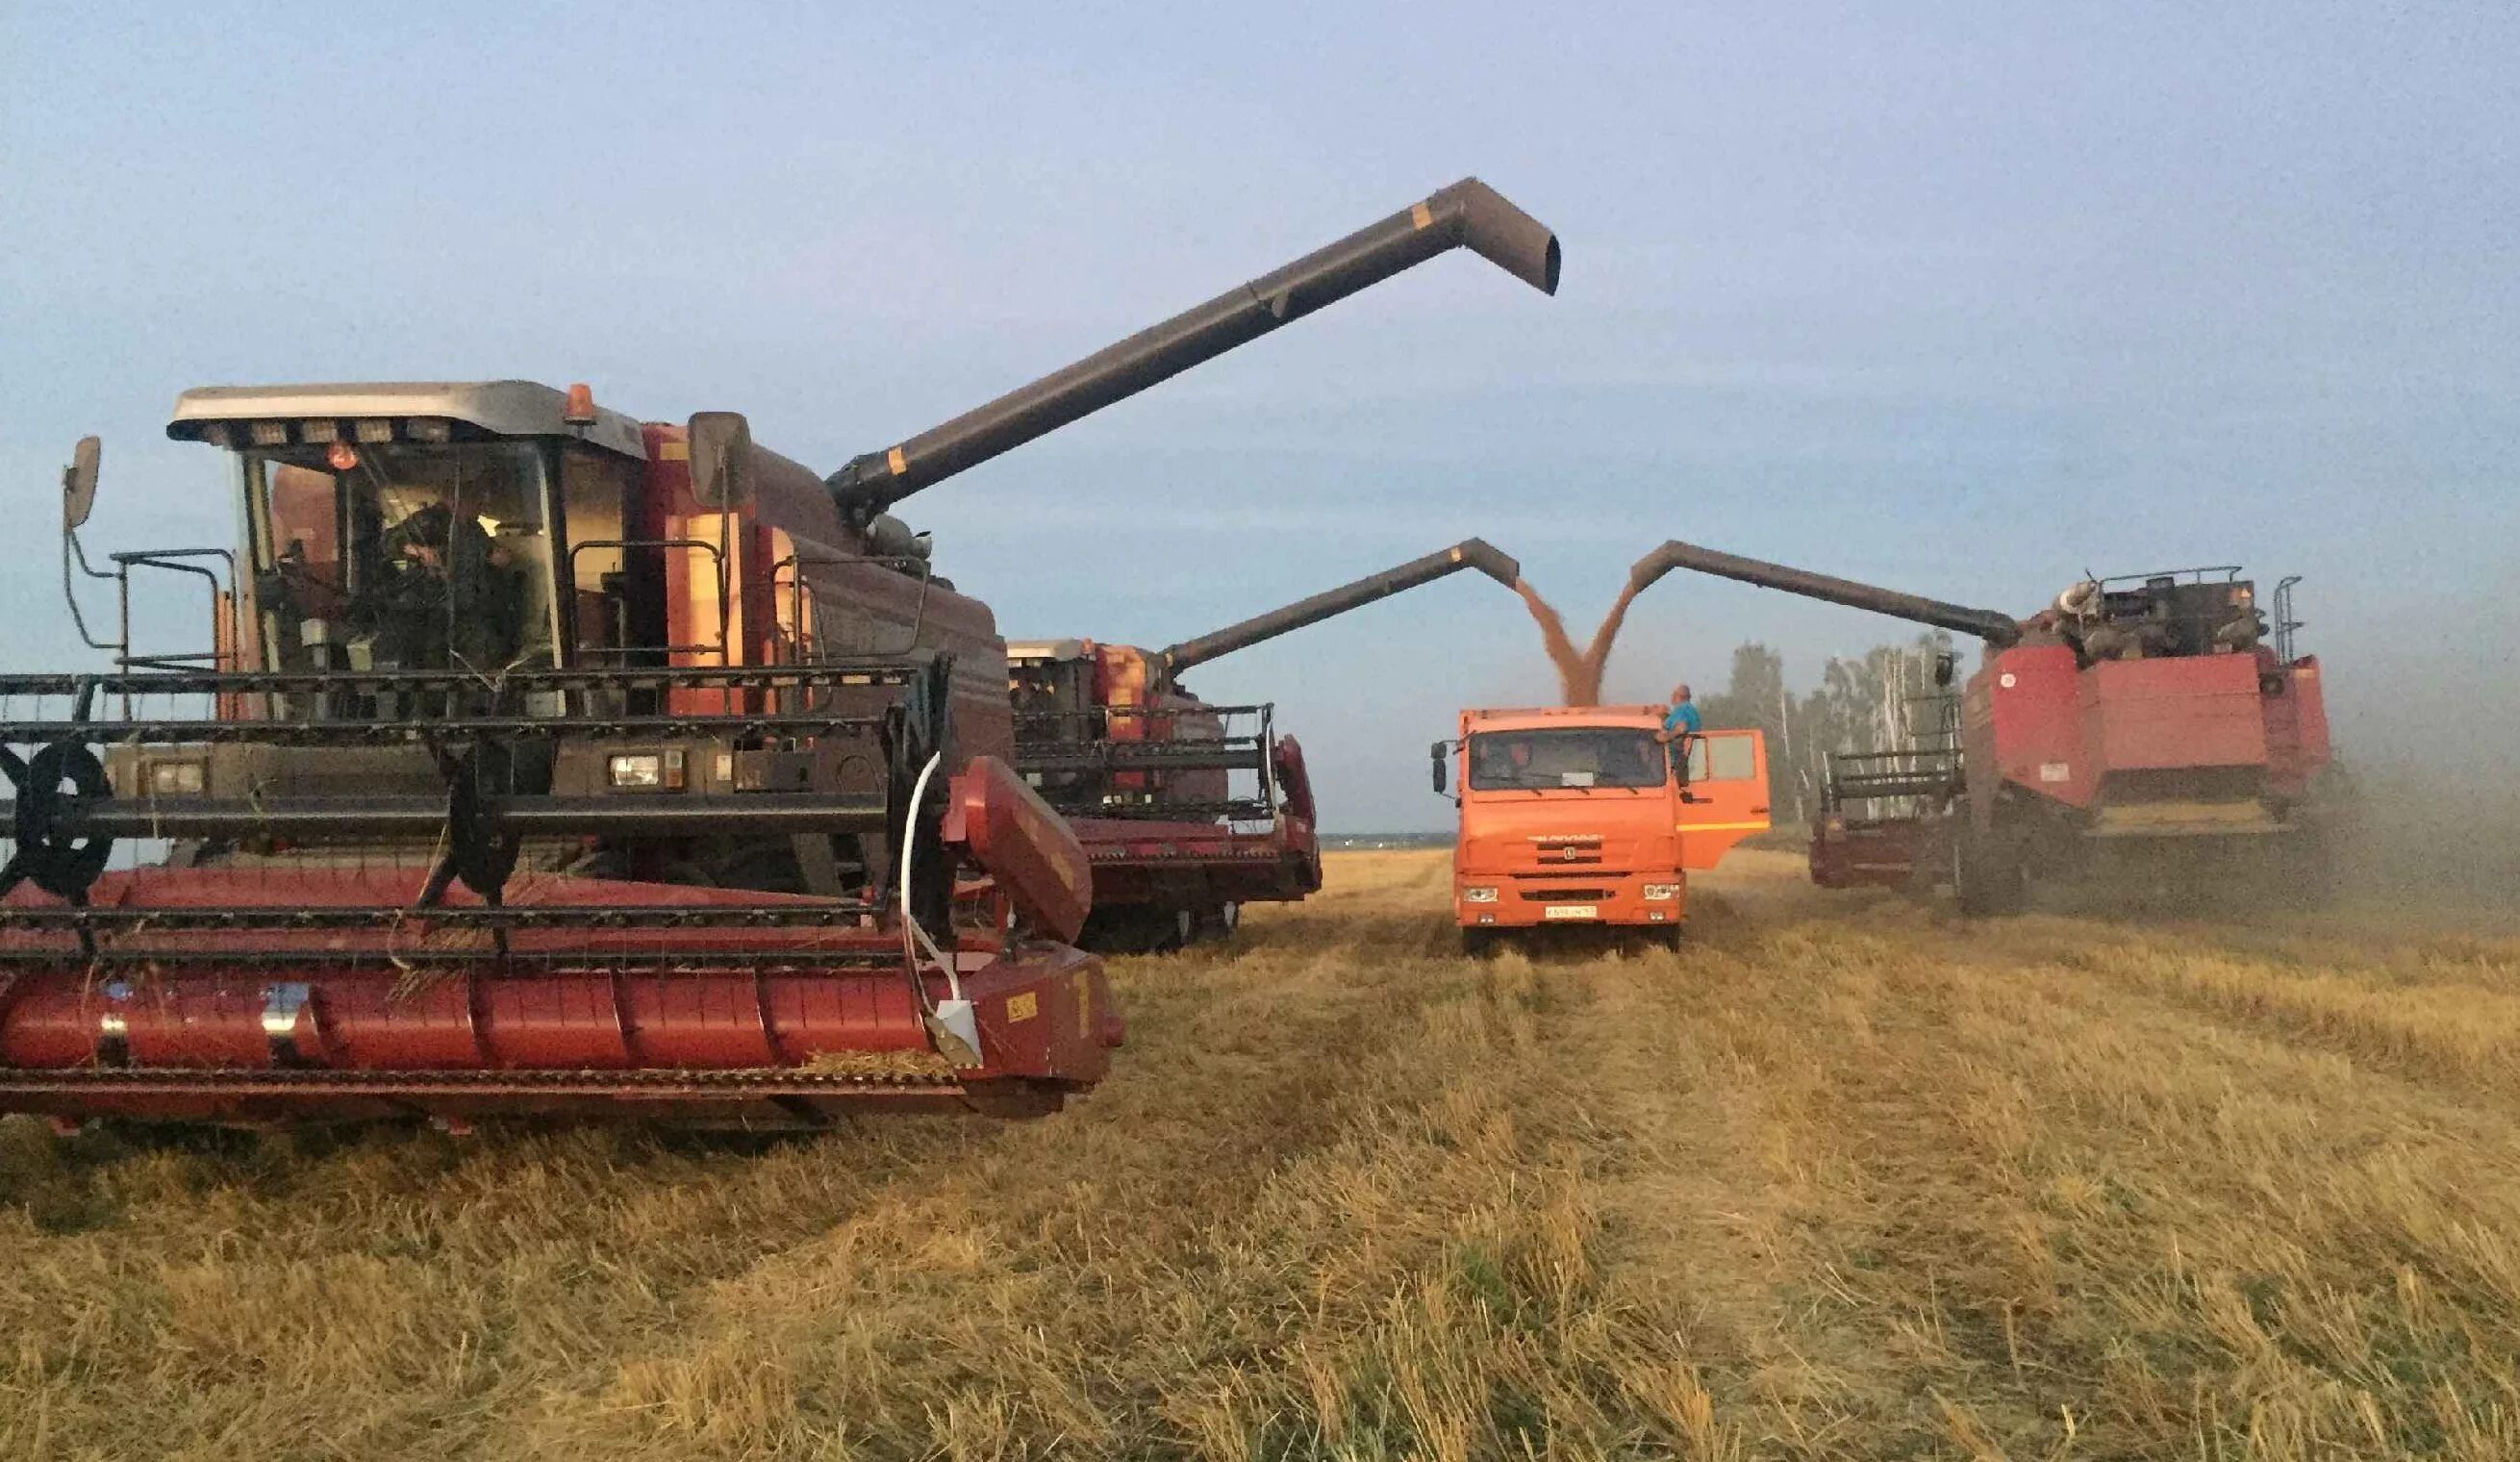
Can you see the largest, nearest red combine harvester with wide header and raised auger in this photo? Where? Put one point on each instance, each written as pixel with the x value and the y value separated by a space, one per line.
pixel 553 763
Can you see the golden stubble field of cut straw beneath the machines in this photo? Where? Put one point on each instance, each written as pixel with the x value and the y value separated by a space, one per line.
pixel 1841 1181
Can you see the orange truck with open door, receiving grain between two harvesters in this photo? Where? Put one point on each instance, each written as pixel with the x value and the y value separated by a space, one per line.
pixel 1576 815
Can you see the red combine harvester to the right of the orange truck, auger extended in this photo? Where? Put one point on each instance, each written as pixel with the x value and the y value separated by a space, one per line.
pixel 2143 730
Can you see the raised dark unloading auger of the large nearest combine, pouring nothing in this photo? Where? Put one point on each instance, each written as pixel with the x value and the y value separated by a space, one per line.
pixel 1468 216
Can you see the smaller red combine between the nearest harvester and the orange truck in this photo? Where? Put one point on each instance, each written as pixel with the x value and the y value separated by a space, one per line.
pixel 1186 810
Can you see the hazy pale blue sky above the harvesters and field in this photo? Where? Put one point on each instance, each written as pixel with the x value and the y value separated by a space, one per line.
pixel 1957 296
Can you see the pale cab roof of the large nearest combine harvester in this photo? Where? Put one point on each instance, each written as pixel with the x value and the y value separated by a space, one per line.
pixel 498 407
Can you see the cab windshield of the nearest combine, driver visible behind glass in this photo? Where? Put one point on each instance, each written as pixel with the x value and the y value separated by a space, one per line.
pixel 402 556
